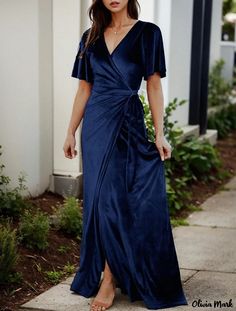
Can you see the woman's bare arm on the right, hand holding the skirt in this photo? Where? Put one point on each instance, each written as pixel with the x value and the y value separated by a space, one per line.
pixel 156 104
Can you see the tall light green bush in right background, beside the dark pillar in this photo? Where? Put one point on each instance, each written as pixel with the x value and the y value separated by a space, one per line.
pixel 218 88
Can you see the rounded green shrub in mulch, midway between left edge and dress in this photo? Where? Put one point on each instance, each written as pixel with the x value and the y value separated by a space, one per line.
pixel 33 229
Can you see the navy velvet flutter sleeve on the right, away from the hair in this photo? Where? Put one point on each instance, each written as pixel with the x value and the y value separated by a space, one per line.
pixel 153 51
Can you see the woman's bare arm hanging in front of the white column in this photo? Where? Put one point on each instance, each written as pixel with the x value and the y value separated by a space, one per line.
pixel 81 97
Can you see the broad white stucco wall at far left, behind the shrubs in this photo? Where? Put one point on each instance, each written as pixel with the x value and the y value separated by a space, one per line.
pixel 25 91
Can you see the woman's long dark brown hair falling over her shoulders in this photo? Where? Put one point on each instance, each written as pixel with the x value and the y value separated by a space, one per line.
pixel 100 17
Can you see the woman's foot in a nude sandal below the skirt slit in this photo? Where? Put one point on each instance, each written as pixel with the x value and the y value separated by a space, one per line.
pixel 105 296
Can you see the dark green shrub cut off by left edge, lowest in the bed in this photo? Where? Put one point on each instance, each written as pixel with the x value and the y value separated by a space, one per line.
pixel 8 252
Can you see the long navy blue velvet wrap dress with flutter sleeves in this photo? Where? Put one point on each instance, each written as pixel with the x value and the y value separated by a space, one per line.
pixel 125 212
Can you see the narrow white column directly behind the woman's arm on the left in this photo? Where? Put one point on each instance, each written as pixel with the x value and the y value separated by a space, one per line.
pixel 66 35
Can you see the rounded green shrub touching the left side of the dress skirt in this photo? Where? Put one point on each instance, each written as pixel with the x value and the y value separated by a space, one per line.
pixel 70 216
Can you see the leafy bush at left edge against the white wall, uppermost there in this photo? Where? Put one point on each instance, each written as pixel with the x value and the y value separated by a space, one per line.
pixel 11 201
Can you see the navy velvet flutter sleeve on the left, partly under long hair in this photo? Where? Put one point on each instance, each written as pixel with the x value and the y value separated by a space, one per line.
pixel 82 67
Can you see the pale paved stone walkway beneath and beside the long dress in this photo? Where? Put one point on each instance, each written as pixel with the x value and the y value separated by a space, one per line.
pixel 206 252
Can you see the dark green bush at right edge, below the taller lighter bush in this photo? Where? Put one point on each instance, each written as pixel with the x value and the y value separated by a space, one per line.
pixel 223 120
